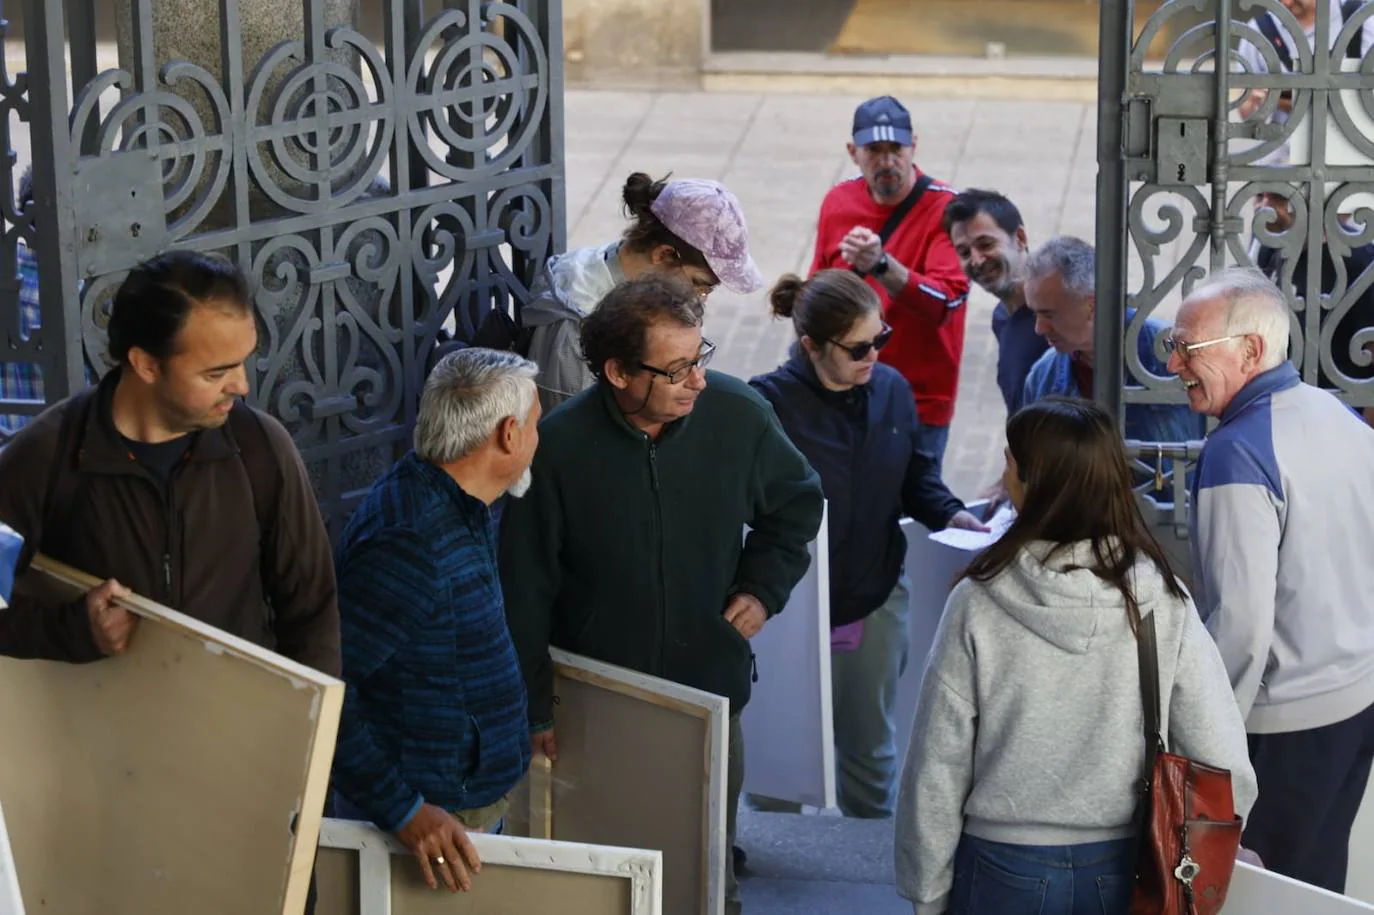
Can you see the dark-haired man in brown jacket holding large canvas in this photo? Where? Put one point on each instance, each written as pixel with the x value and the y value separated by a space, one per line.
pixel 163 482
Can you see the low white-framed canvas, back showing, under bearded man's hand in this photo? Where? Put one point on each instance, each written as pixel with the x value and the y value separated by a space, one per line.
pixel 388 877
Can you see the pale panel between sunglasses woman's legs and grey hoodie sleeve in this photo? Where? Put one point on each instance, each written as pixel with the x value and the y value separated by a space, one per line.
pixel 931 569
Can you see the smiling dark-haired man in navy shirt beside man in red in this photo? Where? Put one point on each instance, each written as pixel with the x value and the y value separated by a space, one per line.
pixel 990 238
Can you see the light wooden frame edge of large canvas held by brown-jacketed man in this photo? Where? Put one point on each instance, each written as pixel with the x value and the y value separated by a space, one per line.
pixel 63 580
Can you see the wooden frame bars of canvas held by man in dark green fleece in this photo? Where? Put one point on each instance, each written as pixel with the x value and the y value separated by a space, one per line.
pixel 535 806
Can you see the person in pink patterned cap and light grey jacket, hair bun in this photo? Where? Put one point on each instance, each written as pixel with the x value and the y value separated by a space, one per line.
pixel 690 229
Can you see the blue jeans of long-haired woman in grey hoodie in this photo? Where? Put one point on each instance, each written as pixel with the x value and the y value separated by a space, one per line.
pixel 995 879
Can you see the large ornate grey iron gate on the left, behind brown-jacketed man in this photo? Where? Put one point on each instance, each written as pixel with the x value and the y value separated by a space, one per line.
pixel 374 193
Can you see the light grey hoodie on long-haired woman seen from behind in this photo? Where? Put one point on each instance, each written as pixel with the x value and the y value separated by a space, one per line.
pixel 1028 726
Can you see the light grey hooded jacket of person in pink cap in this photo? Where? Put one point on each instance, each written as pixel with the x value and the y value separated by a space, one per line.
pixel 570 286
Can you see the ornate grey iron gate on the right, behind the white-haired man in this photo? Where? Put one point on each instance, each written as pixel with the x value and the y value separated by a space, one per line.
pixel 1180 167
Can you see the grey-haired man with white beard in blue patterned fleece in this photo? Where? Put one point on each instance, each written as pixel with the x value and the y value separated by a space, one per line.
pixel 435 732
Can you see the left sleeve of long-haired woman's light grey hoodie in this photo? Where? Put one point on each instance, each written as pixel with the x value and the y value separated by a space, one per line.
pixel 939 771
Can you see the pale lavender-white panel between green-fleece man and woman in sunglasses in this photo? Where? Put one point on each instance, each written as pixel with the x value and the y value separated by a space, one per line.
pixel 789 727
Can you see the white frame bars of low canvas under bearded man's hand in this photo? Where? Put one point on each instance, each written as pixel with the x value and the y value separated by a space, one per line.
pixel 644 869
